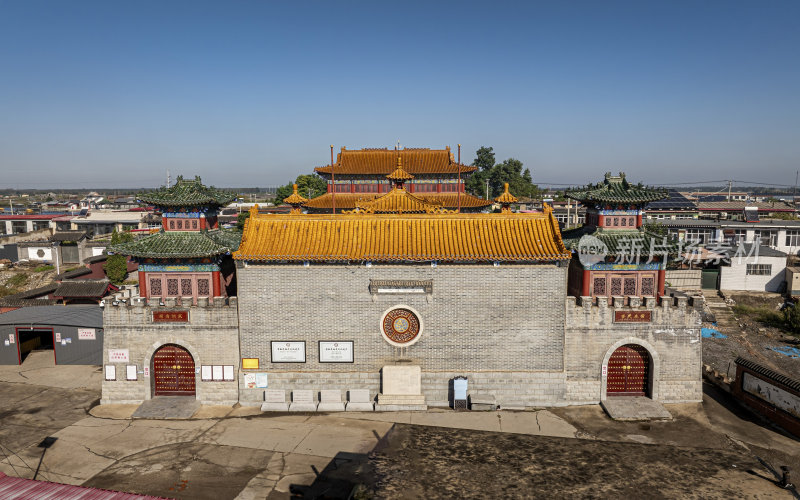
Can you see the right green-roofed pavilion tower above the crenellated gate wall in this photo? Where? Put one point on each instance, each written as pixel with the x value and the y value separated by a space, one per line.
pixel 616 256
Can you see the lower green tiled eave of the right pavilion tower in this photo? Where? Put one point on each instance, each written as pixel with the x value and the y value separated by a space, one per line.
pixel 623 242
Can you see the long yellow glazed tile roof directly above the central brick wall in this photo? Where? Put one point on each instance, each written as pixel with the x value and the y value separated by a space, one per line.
pixel 402 238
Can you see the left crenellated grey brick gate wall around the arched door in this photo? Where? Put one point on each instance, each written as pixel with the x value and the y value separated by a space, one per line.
pixel 210 336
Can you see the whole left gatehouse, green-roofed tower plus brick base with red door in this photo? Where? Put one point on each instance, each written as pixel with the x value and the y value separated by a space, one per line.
pixel 179 336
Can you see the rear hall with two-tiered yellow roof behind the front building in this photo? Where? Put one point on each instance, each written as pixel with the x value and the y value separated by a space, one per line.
pixel 360 176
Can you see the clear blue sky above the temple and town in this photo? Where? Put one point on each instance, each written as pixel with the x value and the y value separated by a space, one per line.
pixel 252 93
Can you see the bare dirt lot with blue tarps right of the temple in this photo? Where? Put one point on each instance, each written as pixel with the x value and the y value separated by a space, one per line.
pixel 752 340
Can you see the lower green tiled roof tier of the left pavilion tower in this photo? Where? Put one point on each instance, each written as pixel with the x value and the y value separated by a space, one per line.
pixel 181 245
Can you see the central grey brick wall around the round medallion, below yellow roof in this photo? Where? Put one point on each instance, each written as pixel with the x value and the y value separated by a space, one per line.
pixel 500 326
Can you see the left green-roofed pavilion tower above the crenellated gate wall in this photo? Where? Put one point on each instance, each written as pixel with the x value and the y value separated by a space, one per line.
pixel 190 256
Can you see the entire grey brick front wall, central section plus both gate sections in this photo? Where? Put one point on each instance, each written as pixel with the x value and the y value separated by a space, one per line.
pixel 510 329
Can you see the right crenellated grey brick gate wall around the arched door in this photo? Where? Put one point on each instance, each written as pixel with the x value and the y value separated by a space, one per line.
pixel 672 338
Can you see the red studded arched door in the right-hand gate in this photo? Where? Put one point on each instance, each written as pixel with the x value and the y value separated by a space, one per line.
pixel 628 371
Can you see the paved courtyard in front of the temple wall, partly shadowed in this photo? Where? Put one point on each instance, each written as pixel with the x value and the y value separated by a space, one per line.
pixel 706 451
